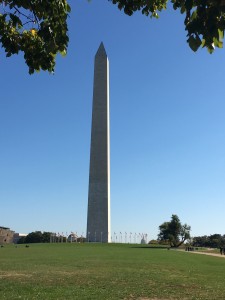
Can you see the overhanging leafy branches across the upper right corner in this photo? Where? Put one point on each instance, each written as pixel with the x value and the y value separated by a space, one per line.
pixel 204 19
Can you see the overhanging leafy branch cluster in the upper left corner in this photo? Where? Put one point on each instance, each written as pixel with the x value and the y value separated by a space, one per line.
pixel 38 28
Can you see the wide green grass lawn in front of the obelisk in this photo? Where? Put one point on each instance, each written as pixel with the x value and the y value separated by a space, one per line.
pixel 108 271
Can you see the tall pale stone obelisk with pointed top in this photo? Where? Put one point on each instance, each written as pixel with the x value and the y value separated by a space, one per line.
pixel 98 219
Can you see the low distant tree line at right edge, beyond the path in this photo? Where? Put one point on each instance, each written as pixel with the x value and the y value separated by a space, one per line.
pixel 211 241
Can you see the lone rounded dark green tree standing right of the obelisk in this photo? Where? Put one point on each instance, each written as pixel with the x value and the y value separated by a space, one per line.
pixel 174 232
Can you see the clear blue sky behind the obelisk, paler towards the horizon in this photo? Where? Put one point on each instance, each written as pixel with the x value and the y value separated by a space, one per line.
pixel 167 128
